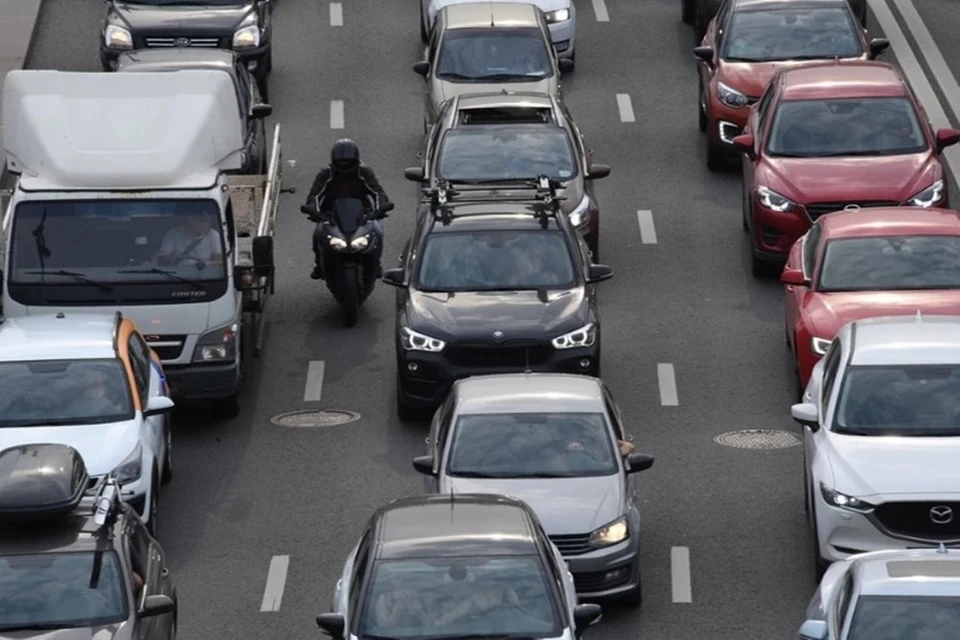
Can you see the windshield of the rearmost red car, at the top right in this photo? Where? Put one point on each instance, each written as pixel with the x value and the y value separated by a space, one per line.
pixel 791 34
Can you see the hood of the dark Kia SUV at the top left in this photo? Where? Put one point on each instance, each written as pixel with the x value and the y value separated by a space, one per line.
pixel 183 20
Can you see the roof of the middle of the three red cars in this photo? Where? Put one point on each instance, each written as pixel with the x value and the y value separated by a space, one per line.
pixel 833 80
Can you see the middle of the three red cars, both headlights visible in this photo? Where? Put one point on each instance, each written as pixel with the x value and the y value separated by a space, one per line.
pixel 827 136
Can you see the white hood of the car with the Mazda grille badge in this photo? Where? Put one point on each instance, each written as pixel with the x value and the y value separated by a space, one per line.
pixel 868 466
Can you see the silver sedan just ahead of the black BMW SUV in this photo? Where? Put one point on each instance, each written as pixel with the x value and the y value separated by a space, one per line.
pixel 551 440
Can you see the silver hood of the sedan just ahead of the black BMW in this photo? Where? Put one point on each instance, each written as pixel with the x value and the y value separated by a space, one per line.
pixel 564 505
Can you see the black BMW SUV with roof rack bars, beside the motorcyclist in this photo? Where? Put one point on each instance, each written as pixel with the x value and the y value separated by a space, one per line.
pixel 492 282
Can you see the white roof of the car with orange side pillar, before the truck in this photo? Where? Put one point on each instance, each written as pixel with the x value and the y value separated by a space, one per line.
pixel 58 337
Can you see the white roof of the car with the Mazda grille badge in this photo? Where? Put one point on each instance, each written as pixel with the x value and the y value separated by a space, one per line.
pixel 906 340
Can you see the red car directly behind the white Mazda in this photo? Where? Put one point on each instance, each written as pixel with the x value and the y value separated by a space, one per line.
pixel 853 265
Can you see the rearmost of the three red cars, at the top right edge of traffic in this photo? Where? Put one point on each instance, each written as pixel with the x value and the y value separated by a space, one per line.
pixel 750 40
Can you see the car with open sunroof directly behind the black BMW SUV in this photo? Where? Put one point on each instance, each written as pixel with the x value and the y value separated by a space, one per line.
pixel 501 138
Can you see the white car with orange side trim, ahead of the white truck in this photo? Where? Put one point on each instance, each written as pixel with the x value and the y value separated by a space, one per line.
pixel 89 381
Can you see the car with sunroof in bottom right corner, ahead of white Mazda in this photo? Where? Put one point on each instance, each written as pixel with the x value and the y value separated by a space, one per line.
pixel 888 595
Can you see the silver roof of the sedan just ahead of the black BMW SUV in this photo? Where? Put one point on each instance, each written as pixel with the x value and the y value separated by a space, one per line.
pixel 529 393
